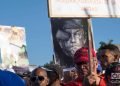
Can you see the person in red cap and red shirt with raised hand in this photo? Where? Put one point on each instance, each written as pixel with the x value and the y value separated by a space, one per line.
pixel 81 61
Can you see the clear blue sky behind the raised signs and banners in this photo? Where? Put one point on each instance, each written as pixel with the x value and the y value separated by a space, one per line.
pixel 33 15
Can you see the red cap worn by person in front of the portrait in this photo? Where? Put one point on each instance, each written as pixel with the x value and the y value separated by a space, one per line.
pixel 82 55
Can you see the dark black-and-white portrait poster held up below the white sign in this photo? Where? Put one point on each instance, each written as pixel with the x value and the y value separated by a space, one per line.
pixel 68 36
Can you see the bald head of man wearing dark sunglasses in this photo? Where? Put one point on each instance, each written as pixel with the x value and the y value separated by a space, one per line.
pixel 39 77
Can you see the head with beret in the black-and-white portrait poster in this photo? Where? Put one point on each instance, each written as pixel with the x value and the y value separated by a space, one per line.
pixel 70 35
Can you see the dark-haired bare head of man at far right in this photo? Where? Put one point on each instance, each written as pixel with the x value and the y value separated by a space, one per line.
pixel 108 54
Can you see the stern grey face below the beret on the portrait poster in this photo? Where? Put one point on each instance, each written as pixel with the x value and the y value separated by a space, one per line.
pixel 70 39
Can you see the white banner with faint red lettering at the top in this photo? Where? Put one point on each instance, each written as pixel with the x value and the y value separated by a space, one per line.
pixel 84 8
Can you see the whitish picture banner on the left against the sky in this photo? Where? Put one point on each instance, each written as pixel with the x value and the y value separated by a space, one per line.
pixel 13 46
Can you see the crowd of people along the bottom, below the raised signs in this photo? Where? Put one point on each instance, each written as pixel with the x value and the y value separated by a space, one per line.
pixel 105 71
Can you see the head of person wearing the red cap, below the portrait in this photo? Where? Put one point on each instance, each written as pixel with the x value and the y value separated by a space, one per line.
pixel 81 60
